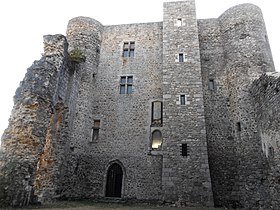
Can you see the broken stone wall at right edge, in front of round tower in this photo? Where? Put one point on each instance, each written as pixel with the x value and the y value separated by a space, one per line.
pixel 266 103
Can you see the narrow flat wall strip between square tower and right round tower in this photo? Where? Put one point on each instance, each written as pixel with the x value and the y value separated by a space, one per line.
pixel 219 128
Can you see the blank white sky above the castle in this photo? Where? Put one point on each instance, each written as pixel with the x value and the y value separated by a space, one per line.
pixel 24 22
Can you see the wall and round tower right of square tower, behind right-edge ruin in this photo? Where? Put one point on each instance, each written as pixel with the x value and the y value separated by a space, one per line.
pixel 236 47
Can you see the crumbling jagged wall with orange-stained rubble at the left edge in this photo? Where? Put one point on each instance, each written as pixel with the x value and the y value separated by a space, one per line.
pixel 25 141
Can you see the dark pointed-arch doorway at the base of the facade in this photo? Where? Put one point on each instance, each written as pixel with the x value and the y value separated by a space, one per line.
pixel 114 181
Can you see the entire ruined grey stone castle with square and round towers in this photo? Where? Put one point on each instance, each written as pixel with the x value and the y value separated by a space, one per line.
pixel 183 111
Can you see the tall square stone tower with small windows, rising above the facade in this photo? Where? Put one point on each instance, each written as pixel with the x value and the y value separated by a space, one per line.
pixel 186 176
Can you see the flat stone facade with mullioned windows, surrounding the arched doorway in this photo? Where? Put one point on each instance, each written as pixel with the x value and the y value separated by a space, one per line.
pixel 124 135
